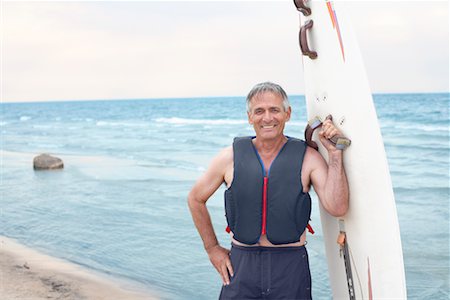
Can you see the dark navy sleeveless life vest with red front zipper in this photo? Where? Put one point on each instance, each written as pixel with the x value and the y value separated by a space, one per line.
pixel 274 204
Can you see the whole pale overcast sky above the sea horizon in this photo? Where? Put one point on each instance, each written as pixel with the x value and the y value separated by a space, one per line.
pixel 68 50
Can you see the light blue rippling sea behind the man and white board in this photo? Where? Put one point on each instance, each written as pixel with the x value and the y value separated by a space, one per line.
pixel 119 206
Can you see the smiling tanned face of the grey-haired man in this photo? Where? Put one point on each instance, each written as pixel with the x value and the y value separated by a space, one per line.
pixel 267 115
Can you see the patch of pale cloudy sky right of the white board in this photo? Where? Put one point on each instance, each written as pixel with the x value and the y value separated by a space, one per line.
pixel 405 45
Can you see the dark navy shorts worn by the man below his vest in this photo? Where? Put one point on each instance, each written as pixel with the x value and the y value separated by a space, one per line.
pixel 268 273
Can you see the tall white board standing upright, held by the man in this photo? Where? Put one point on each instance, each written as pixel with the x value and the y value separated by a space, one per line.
pixel 368 263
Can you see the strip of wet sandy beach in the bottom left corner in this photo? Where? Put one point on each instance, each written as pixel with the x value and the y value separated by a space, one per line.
pixel 29 274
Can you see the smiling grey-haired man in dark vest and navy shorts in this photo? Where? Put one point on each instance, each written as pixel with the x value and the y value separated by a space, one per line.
pixel 267 202
